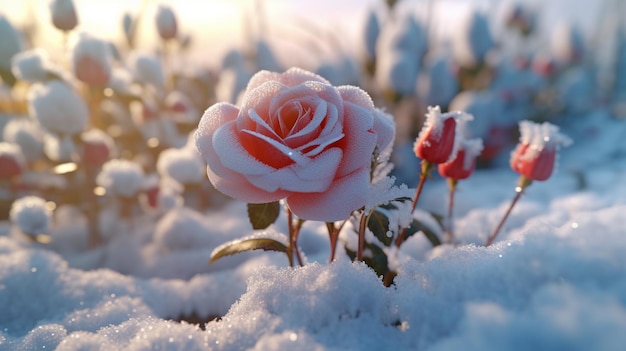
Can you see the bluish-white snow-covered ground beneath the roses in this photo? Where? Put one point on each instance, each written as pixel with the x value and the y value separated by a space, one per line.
pixel 554 280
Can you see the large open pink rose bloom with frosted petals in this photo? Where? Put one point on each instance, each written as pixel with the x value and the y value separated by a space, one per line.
pixel 297 137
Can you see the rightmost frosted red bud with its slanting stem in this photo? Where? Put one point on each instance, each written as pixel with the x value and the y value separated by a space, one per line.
pixel 534 158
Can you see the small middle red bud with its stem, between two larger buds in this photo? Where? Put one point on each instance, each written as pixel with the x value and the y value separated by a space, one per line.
pixel 458 168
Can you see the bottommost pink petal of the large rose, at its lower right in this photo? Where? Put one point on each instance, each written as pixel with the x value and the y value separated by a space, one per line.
pixel 337 203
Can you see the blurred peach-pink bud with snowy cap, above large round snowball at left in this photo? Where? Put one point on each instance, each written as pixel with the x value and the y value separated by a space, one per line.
pixel 91 61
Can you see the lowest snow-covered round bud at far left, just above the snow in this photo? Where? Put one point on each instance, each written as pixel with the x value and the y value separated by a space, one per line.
pixel 31 215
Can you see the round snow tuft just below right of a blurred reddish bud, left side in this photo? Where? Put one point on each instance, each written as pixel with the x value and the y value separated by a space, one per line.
pixel 121 177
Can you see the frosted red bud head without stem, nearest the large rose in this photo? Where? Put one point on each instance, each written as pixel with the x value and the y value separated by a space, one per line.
pixel 436 141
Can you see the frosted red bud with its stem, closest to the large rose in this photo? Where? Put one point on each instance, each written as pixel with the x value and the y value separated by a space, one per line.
pixel 436 143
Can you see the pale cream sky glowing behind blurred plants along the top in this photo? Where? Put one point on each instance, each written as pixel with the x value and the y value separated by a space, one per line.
pixel 216 25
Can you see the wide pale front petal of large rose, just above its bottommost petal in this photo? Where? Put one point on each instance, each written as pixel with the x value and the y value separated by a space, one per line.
pixel 314 177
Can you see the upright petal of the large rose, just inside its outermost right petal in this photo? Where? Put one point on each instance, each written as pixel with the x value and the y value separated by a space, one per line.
pixel 359 141
